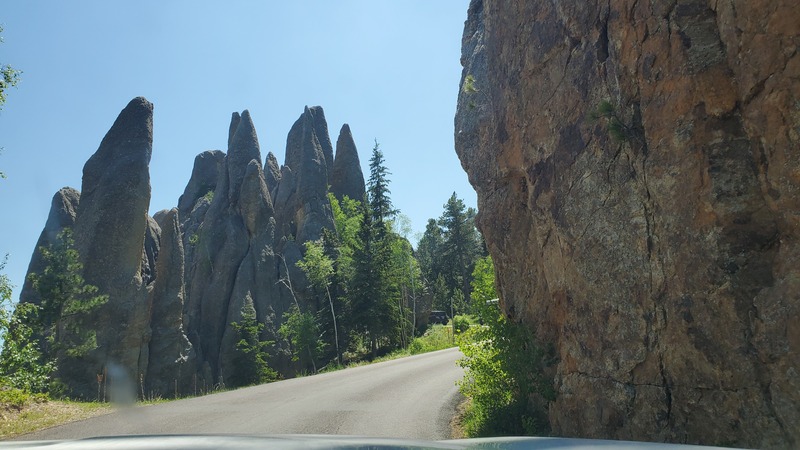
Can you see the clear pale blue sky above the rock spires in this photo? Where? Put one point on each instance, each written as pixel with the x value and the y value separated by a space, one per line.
pixel 389 69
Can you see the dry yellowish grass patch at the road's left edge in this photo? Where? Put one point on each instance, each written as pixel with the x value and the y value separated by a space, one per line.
pixel 41 413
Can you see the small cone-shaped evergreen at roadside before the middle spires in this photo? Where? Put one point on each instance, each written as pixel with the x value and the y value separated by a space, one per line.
pixel 250 361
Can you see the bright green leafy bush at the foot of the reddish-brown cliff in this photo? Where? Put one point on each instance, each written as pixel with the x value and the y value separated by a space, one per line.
pixel 504 377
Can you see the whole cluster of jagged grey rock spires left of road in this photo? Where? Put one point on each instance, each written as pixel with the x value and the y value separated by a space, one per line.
pixel 178 280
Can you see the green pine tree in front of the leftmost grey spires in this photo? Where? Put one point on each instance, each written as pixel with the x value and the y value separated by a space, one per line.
pixel 67 301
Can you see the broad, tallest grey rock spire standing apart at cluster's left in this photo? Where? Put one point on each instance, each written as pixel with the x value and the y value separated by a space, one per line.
pixel 109 231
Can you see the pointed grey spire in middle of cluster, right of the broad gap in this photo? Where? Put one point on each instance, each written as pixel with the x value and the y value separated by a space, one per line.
pixel 233 243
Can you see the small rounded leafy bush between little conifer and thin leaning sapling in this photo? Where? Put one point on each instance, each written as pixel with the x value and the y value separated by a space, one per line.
pixel 300 329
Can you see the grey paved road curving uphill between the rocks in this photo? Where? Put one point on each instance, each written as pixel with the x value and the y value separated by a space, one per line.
pixel 413 397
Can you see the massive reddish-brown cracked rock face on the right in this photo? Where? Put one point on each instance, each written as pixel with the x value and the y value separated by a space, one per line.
pixel 657 247
